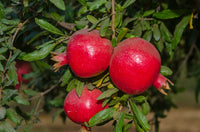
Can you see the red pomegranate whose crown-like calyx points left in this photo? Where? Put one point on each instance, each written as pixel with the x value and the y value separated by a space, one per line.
pixel 87 54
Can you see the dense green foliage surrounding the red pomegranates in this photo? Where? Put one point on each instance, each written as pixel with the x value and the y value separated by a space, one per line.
pixel 31 29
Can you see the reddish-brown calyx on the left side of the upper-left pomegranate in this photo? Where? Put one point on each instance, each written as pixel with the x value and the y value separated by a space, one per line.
pixel 60 59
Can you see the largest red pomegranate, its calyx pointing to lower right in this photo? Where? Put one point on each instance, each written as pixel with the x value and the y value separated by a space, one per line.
pixel 135 66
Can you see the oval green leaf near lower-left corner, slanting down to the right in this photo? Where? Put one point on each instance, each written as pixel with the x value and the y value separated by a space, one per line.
pixel 13 116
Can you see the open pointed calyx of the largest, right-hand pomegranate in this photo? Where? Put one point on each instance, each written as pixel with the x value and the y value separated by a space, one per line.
pixel 162 83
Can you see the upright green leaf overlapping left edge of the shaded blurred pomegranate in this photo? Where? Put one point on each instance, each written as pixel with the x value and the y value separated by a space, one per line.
pixel 12 73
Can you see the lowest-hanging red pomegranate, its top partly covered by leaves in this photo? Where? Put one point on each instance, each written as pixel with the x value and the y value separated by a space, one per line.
pixel 80 110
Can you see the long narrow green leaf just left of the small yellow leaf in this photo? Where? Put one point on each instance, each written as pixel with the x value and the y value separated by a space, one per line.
pixel 179 30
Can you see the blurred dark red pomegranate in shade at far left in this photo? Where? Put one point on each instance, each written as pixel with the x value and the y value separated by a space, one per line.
pixel 23 67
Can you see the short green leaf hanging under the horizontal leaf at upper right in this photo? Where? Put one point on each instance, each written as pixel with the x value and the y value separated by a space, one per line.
pixel 165 32
